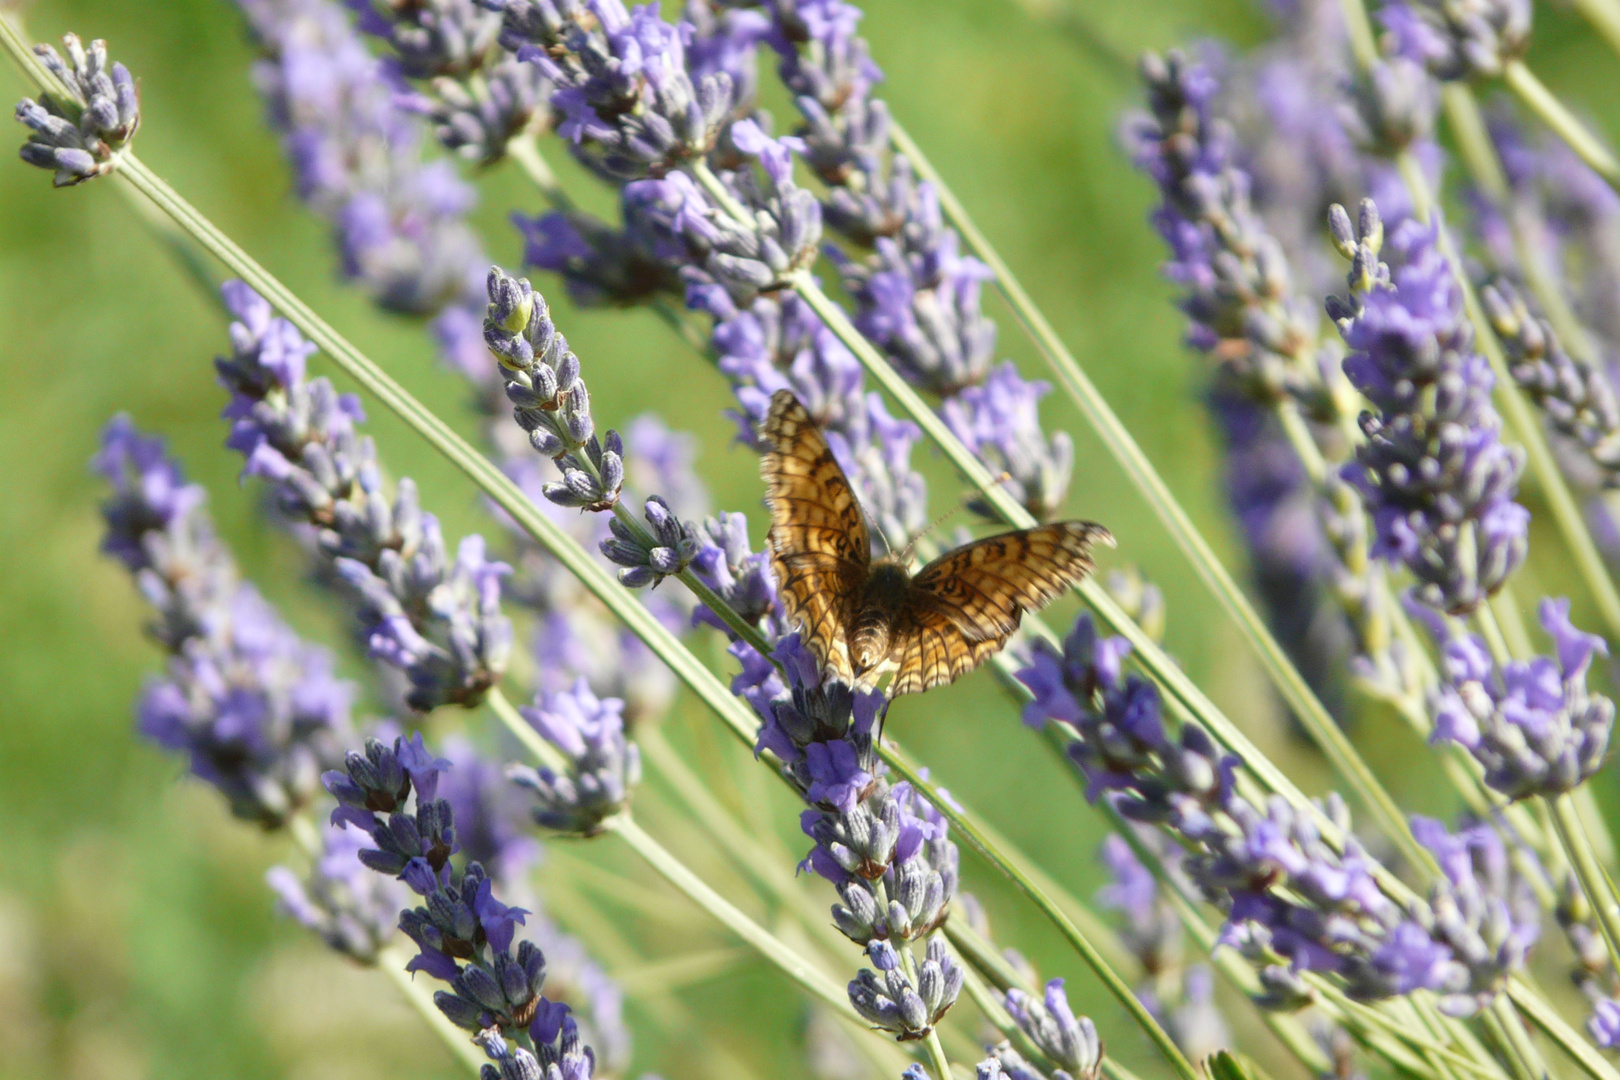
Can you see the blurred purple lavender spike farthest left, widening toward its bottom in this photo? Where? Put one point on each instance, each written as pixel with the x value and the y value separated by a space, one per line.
pixel 255 708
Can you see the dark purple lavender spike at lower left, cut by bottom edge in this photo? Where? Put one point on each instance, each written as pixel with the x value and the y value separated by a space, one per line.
pixel 466 935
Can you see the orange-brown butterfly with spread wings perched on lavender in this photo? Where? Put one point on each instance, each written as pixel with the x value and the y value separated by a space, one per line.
pixel 863 618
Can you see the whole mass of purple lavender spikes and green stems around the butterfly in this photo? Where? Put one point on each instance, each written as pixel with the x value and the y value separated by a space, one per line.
pixel 1422 964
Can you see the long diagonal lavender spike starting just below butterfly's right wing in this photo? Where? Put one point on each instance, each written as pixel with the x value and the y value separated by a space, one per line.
pixel 1287 891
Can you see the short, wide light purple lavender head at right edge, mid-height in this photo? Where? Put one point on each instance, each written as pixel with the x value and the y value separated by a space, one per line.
pixel 1533 725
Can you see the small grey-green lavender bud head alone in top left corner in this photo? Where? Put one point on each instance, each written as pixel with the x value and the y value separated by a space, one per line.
pixel 80 137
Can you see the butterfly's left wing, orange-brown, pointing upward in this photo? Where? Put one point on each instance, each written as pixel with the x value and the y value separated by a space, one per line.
pixel 821 548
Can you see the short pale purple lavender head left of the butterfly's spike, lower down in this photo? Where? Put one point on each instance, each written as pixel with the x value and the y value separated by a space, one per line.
pixel 603 767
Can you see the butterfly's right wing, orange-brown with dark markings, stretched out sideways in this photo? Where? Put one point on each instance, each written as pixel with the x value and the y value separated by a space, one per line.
pixel 965 605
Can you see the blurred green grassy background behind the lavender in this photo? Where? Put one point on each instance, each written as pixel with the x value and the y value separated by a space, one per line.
pixel 137 938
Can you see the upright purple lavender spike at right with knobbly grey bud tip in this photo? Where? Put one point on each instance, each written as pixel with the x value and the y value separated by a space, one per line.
pixel 1435 474
